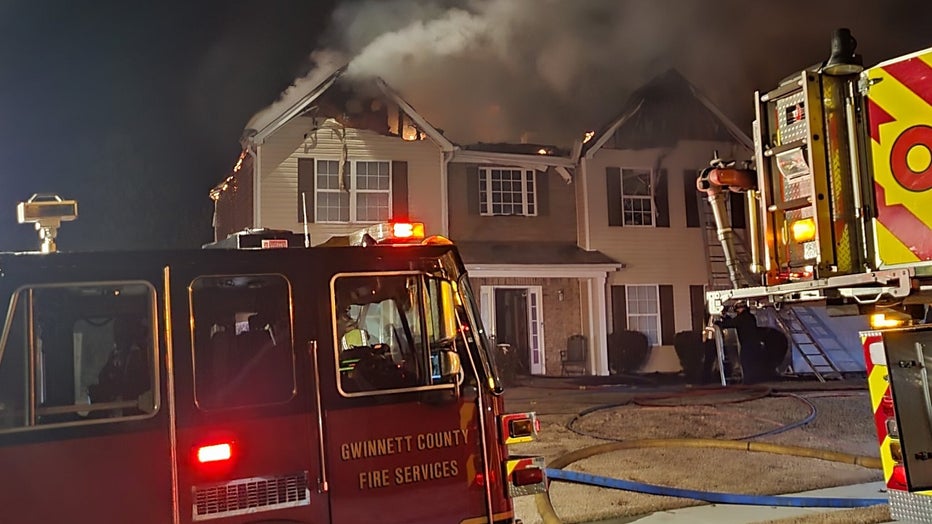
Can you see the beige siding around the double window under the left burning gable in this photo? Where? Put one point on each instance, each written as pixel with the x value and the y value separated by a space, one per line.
pixel 279 173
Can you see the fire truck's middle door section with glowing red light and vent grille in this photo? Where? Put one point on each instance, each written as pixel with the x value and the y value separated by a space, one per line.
pixel 246 439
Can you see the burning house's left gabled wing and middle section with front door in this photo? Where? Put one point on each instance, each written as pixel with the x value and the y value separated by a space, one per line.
pixel 340 154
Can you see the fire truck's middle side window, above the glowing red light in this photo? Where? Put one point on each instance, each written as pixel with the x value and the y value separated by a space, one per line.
pixel 243 350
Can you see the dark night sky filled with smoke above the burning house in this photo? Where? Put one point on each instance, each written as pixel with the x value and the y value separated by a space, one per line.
pixel 135 108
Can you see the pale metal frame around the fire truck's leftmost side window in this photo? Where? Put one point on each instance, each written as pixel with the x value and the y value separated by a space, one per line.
pixel 32 364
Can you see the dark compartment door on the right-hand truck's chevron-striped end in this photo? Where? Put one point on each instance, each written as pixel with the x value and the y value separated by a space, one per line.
pixel 909 359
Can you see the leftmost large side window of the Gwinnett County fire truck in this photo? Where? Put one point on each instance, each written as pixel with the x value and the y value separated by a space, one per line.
pixel 79 353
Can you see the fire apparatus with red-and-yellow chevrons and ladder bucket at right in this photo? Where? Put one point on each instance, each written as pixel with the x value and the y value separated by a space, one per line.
pixel 840 207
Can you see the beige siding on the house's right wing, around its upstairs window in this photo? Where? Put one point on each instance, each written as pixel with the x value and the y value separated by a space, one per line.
pixel 654 255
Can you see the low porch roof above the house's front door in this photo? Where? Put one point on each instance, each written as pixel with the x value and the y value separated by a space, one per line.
pixel 550 253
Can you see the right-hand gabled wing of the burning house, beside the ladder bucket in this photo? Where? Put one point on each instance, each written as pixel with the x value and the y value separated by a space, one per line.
pixel 639 204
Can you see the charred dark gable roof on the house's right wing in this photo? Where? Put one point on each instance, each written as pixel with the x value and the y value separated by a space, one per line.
pixel 665 110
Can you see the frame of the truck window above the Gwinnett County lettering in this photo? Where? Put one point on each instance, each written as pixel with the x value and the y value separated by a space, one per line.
pixel 423 328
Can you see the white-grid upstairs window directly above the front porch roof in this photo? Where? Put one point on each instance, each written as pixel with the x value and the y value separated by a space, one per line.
pixel 507 191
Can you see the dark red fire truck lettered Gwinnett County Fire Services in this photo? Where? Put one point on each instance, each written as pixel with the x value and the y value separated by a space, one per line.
pixel 254 381
